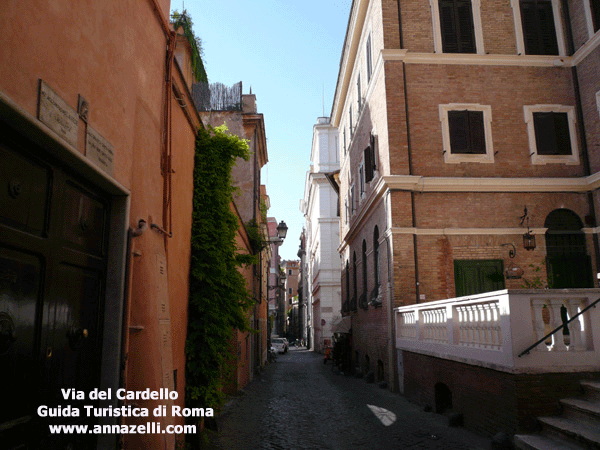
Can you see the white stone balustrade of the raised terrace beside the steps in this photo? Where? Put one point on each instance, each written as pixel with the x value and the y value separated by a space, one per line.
pixel 494 328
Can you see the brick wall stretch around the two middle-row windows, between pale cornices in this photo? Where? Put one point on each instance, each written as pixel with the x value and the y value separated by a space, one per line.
pixel 506 90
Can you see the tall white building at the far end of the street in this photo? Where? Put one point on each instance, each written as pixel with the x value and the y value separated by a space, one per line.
pixel 320 207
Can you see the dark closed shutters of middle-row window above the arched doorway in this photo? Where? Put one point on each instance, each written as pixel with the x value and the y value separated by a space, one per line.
pixel 552 135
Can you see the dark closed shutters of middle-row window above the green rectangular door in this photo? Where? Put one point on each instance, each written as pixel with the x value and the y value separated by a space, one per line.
pixel 467 134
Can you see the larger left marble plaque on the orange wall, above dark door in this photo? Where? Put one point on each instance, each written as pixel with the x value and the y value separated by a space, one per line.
pixel 57 115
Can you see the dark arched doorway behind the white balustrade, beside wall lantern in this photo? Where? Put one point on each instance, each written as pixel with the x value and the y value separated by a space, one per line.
pixel 567 262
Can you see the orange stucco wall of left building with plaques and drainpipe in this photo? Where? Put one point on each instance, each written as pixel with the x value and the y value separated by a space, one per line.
pixel 112 53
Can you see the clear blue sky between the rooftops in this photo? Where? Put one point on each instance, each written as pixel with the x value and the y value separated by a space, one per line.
pixel 288 52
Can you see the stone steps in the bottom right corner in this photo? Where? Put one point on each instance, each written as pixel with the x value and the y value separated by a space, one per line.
pixel 577 428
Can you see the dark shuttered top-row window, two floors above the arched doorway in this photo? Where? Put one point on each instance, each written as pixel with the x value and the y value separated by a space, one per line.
pixel 539 32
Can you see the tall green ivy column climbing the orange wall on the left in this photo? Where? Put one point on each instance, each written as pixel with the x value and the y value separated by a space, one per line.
pixel 219 300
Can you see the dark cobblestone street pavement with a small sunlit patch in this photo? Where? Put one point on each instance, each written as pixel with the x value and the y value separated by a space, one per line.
pixel 298 403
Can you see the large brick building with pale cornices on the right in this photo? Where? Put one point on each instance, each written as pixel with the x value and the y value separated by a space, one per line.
pixel 453 117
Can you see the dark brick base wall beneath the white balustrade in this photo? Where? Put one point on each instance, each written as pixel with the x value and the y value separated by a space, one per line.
pixel 491 401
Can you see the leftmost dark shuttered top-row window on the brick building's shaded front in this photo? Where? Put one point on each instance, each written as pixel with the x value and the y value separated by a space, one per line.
pixel 458 30
